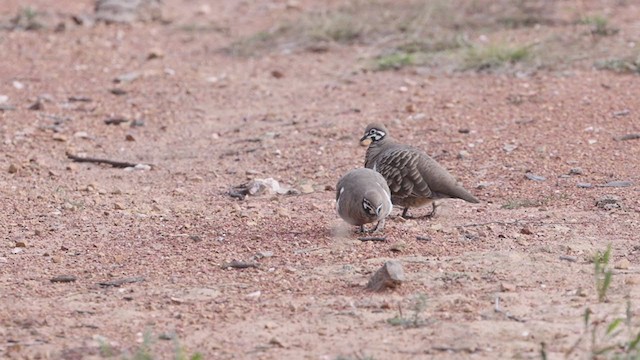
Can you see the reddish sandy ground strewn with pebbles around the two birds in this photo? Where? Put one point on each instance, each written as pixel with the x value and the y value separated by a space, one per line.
pixel 209 121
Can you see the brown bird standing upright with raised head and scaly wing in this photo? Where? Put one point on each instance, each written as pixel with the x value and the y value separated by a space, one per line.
pixel 414 178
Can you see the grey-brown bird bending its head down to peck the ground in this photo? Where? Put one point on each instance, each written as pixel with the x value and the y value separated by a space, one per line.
pixel 363 197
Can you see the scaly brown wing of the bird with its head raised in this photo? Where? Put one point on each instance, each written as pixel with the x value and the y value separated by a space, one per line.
pixel 400 167
